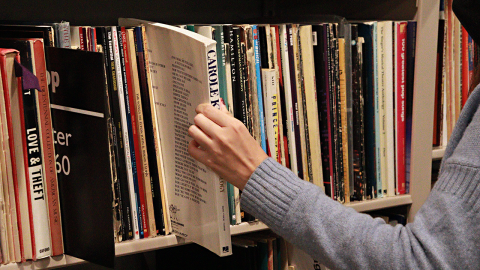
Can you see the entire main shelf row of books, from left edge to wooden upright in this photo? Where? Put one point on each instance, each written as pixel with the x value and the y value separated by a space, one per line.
pixel 330 101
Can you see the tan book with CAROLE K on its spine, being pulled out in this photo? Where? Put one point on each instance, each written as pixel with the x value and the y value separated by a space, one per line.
pixel 183 68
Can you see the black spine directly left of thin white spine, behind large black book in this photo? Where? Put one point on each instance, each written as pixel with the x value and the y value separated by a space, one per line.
pixel 121 203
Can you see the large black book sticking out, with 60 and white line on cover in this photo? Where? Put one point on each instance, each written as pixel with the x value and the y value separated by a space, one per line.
pixel 78 110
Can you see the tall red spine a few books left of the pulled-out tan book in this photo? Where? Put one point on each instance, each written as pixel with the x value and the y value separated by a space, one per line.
pixel 136 145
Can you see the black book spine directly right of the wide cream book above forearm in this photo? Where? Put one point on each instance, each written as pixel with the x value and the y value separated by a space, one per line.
pixel 321 77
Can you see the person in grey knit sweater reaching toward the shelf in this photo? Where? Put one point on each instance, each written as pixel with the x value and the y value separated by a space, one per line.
pixel 445 233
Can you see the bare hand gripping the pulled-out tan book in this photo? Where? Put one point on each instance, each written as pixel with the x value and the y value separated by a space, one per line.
pixel 224 144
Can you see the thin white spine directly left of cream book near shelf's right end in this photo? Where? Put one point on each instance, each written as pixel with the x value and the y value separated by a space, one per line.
pixel 381 187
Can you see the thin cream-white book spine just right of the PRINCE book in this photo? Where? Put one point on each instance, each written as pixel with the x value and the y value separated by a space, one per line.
pixel 292 149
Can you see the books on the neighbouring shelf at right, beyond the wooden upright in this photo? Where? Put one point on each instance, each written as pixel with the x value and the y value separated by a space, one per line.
pixel 457 55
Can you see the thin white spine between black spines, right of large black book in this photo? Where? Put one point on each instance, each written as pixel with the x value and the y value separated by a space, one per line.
pixel 125 136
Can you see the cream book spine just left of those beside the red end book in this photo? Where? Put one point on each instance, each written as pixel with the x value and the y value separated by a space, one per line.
pixel 389 111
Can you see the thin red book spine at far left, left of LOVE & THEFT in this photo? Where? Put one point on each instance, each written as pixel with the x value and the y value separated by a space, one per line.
pixel 6 95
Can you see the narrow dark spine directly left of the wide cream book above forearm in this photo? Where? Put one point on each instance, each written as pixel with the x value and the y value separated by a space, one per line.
pixel 295 109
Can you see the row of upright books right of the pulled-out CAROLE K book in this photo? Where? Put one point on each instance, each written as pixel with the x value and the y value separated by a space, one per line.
pixel 333 102
